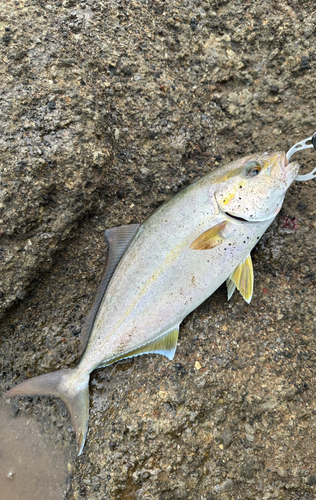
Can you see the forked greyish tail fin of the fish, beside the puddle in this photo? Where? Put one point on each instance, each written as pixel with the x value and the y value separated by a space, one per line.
pixel 67 385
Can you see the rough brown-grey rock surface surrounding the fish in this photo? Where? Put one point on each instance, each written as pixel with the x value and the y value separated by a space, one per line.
pixel 108 108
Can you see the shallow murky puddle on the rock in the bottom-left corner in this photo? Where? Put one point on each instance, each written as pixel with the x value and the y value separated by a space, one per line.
pixel 31 466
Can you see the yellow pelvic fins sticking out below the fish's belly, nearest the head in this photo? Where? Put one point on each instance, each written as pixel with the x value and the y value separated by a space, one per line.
pixel 242 278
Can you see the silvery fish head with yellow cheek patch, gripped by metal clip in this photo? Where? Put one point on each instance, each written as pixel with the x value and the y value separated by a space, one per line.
pixel 253 188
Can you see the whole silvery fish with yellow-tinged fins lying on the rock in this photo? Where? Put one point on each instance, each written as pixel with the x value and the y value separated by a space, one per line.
pixel 159 271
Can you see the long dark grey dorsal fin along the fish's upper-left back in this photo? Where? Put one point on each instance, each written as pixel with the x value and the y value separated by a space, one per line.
pixel 118 239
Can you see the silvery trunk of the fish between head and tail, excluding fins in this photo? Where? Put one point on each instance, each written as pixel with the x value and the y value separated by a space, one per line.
pixel 161 279
